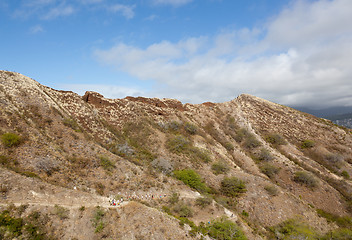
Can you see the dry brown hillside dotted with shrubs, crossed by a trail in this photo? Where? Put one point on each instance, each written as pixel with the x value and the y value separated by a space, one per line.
pixel 243 169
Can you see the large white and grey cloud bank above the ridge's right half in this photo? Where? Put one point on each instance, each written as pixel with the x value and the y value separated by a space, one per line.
pixel 301 57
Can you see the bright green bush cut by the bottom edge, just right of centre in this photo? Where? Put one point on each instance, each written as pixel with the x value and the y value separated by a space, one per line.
pixel 223 228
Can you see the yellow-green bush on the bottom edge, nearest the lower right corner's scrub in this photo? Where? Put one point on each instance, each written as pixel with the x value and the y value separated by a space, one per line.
pixel 294 229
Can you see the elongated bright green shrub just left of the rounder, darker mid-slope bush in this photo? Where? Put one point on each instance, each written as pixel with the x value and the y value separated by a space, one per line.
pixel 192 179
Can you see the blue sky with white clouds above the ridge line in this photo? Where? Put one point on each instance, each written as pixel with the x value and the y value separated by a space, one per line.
pixel 292 52
